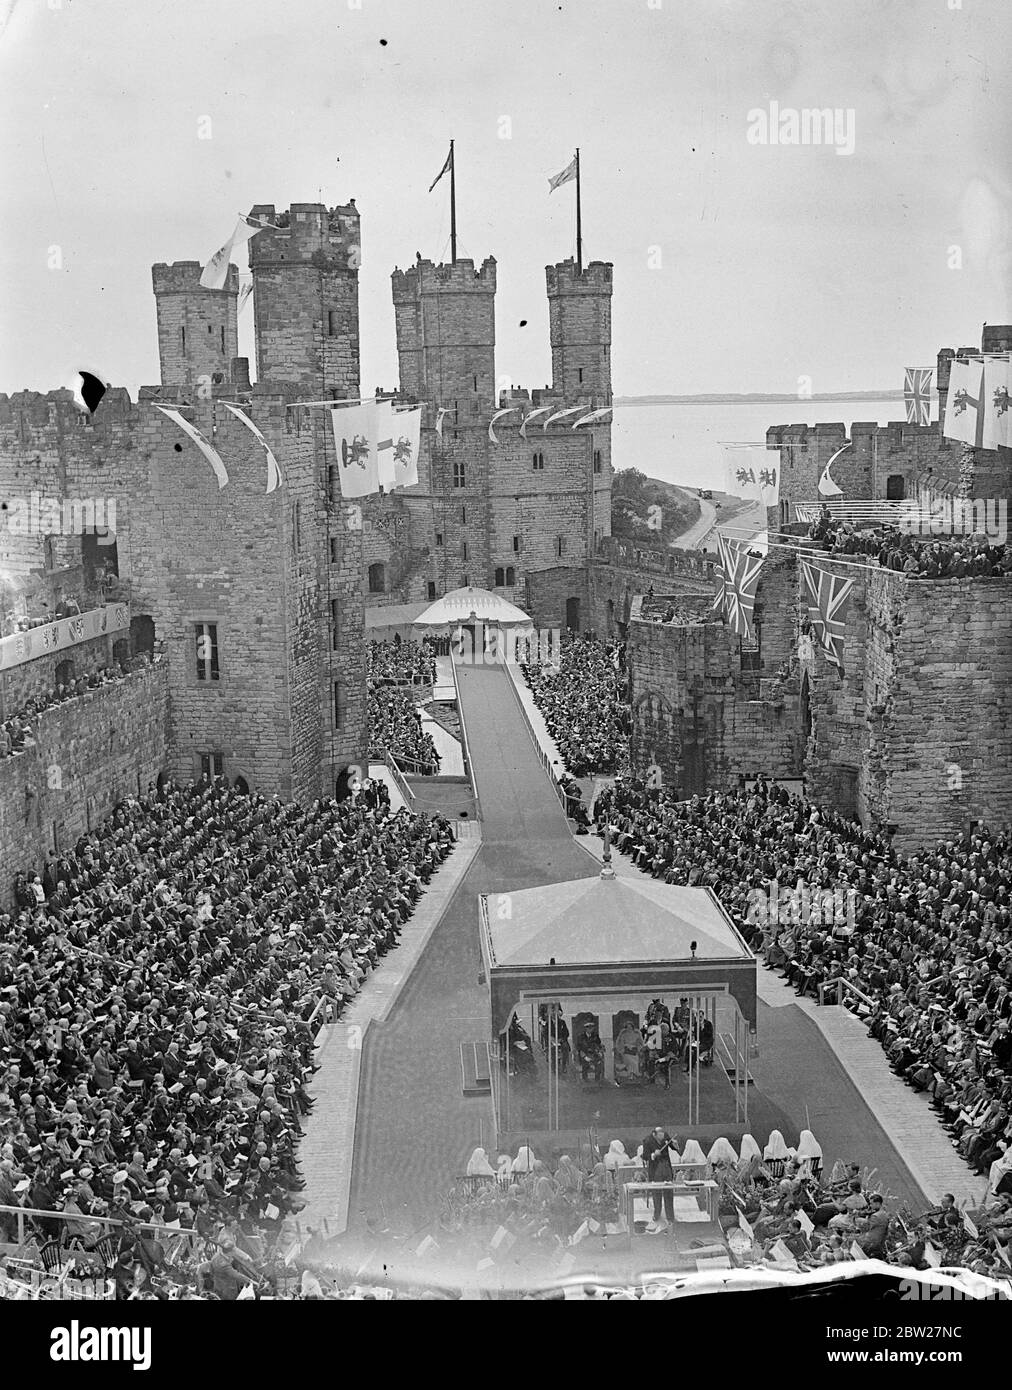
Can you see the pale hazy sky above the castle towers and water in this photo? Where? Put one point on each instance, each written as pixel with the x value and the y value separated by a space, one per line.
pixel 739 265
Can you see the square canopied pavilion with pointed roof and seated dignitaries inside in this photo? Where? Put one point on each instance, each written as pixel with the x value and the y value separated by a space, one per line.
pixel 603 950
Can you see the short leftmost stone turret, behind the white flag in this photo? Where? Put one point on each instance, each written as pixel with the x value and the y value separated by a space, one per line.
pixel 198 334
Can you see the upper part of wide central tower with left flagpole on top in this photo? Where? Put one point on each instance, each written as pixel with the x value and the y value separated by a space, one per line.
pixel 446 323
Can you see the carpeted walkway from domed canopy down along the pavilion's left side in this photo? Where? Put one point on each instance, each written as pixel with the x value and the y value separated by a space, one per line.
pixel 415 1128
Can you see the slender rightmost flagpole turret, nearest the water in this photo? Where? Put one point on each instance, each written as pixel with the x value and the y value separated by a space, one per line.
pixel 580 327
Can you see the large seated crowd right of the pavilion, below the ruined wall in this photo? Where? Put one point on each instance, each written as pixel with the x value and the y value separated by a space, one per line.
pixel 927 939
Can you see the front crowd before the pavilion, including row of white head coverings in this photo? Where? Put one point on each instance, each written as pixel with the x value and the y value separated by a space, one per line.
pixel 776 1206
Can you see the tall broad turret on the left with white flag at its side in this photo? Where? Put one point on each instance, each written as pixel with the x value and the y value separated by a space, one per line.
pixel 307 298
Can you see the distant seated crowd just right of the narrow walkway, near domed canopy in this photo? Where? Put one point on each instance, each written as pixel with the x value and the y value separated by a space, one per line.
pixel 585 704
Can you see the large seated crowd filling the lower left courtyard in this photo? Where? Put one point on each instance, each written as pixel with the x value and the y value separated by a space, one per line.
pixel 159 1008
